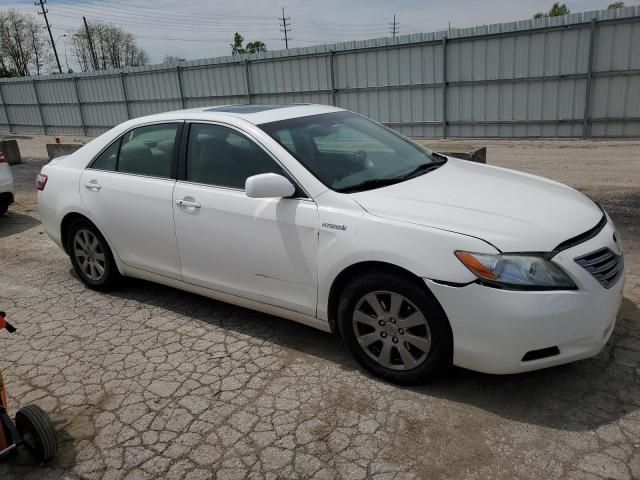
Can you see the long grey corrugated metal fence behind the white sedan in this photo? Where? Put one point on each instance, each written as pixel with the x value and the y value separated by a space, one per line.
pixel 571 76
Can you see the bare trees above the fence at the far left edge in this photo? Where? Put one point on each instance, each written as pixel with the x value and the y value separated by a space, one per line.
pixel 23 47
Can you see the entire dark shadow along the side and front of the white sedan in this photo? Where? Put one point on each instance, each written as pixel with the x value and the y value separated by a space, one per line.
pixel 575 397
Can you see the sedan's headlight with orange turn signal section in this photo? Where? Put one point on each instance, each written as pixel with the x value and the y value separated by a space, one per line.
pixel 516 271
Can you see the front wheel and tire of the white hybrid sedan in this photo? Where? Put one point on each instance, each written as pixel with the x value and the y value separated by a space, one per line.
pixel 405 339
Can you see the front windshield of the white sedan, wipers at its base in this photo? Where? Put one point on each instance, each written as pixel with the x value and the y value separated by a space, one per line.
pixel 350 153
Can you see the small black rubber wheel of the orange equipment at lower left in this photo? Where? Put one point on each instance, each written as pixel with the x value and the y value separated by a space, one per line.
pixel 37 433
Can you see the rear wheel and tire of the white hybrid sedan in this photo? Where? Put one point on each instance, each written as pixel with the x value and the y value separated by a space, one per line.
pixel 95 265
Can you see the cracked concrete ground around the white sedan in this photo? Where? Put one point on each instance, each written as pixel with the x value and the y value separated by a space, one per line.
pixel 151 382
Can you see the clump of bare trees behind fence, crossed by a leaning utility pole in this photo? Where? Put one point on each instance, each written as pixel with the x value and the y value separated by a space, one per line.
pixel 113 47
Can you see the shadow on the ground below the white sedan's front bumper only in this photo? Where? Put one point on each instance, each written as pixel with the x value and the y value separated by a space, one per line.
pixel 577 396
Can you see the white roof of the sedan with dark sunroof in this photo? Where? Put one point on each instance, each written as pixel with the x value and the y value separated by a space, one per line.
pixel 254 113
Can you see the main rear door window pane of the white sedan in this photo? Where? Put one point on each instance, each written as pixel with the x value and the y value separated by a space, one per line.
pixel 148 150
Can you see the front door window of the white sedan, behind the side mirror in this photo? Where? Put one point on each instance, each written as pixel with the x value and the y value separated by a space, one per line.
pixel 220 156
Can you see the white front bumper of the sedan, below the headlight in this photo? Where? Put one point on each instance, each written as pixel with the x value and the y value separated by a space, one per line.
pixel 494 329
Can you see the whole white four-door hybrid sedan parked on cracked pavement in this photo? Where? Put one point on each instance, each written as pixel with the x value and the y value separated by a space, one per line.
pixel 322 216
